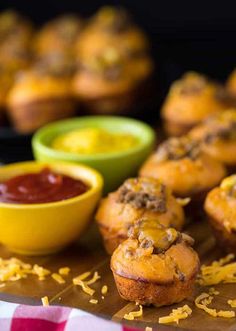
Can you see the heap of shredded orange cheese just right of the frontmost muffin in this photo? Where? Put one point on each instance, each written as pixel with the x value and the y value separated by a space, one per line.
pixel 222 271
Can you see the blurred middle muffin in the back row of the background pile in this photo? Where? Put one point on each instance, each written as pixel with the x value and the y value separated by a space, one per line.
pixel 58 35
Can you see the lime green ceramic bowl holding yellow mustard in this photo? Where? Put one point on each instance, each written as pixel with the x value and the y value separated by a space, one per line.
pixel 115 167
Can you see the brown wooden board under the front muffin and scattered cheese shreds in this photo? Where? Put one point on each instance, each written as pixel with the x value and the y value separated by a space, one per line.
pixel 89 255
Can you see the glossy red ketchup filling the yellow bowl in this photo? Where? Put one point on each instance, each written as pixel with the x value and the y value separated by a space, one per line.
pixel 45 186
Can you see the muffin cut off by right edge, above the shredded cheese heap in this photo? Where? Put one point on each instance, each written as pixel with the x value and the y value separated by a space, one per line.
pixel 220 206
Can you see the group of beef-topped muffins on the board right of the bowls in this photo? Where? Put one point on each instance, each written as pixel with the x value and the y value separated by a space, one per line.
pixel 184 180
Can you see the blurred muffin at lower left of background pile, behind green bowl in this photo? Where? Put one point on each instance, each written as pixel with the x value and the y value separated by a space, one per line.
pixel 39 97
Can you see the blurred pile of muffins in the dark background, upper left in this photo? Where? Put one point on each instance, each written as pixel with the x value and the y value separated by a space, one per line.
pixel 98 65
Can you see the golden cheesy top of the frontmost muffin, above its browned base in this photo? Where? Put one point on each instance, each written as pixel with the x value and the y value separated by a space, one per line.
pixel 156 254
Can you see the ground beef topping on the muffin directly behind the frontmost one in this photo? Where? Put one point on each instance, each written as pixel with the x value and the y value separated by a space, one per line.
pixel 143 193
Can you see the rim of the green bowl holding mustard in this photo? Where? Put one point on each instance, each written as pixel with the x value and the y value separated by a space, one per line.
pixel 37 143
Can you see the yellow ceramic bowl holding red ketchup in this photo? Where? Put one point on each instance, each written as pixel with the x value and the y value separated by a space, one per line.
pixel 39 229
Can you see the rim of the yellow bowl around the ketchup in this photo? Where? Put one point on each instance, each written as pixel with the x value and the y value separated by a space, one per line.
pixel 95 187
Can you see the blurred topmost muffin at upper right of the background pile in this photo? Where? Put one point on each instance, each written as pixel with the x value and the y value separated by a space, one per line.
pixel 111 27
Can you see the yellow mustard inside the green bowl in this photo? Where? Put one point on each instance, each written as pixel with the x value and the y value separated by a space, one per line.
pixel 93 141
